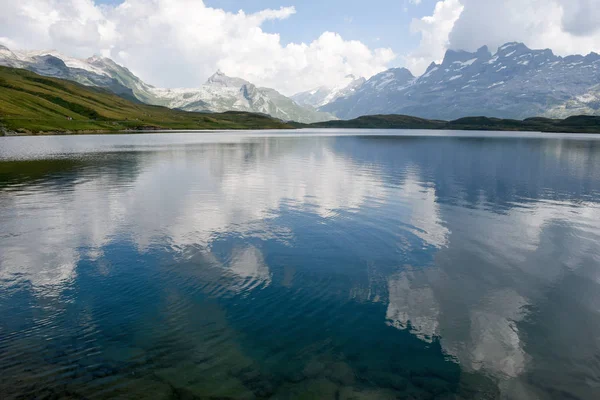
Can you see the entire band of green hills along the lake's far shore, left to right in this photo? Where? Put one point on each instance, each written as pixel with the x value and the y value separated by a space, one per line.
pixel 33 104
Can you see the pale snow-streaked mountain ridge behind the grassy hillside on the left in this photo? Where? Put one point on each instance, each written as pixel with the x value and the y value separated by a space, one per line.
pixel 220 93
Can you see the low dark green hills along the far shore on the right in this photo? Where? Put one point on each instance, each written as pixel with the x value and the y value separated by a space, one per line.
pixel 577 124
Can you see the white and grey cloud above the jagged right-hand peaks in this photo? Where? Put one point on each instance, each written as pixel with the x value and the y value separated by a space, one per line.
pixel 565 26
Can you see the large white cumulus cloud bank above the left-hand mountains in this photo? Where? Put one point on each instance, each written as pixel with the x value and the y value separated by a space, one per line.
pixel 180 43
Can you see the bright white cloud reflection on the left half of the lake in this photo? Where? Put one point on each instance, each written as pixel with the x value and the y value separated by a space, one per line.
pixel 183 215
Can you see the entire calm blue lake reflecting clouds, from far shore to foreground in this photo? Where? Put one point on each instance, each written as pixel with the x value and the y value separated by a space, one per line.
pixel 272 265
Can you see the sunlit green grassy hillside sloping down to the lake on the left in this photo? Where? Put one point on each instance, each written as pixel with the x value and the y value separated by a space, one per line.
pixel 30 103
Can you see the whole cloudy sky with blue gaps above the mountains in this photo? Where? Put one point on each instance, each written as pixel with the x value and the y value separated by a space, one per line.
pixel 290 45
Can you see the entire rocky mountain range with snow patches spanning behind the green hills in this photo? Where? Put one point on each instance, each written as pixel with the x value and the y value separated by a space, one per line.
pixel 514 82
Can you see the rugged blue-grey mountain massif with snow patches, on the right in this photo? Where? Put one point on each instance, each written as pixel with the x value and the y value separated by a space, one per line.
pixel 515 82
